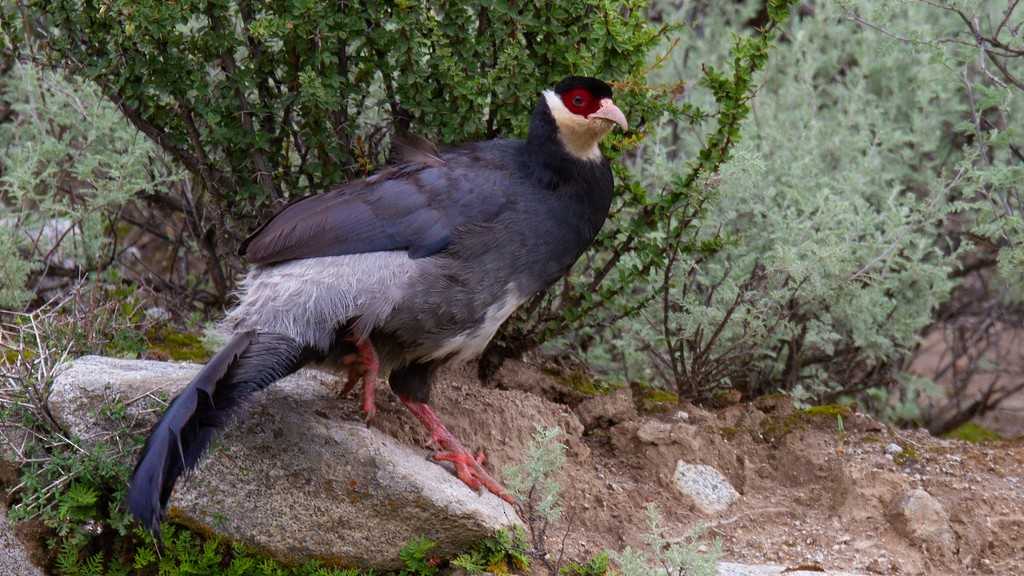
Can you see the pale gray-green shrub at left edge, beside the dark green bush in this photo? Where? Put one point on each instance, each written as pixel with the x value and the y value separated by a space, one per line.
pixel 69 163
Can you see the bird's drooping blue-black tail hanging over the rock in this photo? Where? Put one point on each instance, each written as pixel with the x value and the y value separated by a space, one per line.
pixel 248 363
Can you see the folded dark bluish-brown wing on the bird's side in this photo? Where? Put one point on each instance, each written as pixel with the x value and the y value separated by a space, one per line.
pixel 414 208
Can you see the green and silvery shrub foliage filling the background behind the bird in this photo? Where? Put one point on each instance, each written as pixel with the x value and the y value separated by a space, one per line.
pixel 794 224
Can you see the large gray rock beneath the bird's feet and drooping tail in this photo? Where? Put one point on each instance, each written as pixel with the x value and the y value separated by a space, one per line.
pixel 293 477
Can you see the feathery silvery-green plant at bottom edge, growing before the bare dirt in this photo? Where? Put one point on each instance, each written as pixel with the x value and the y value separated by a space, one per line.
pixel 687 557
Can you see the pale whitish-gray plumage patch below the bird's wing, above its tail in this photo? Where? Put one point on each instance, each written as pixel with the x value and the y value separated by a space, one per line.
pixel 307 300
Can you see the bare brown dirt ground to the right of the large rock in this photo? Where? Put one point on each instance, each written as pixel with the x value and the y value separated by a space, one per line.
pixel 812 496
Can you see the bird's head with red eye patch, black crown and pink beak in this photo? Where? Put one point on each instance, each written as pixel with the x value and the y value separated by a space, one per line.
pixel 584 114
